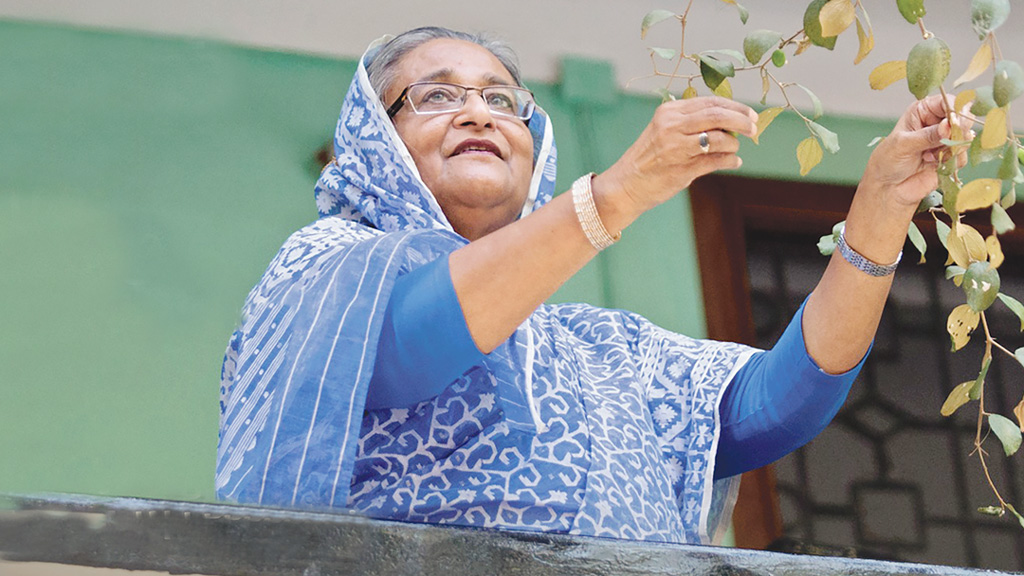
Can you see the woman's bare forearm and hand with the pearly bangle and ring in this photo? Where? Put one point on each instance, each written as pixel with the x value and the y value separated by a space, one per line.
pixel 502 278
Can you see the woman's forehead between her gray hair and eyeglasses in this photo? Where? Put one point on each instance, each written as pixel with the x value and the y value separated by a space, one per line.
pixel 448 60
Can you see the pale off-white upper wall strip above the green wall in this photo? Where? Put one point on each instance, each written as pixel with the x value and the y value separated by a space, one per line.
pixel 544 30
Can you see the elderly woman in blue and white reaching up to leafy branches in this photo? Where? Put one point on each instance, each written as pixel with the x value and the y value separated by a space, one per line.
pixel 398 359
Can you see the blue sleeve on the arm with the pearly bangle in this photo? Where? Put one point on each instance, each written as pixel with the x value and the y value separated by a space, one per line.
pixel 425 344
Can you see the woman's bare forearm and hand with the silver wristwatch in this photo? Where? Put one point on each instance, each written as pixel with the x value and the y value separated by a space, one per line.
pixel 843 312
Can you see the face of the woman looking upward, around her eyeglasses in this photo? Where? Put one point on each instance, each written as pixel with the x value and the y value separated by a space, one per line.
pixel 479 166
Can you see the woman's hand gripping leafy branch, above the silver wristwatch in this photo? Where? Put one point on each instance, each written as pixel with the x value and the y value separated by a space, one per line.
pixel 905 163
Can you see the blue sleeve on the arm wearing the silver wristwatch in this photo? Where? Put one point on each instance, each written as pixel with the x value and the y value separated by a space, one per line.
pixel 778 402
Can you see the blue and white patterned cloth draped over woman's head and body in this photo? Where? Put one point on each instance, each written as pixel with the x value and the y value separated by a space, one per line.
pixel 586 421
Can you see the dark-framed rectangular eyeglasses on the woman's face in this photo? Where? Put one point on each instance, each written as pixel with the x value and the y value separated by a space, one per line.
pixel 440 98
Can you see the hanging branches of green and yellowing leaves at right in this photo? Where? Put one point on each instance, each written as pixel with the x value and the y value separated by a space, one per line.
pixel 973 260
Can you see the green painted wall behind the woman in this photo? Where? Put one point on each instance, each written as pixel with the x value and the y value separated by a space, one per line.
pixel 147 182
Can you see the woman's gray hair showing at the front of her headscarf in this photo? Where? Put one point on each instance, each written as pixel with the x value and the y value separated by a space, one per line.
pixel 382 70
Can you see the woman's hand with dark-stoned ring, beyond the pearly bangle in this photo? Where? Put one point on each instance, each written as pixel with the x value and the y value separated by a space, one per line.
pixel 667 157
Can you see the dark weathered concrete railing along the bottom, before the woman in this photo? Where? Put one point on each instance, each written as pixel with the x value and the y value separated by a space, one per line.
pixel 216 540
